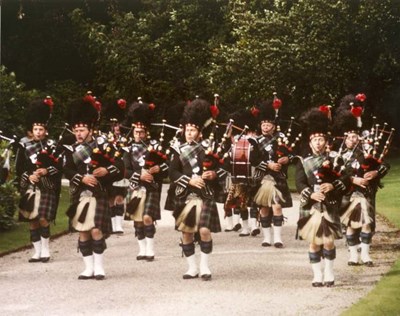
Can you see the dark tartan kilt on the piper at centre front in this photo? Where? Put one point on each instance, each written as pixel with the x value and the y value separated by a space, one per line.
pixel 209 216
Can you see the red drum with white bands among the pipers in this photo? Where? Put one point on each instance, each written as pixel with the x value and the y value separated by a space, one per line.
pixel 241 168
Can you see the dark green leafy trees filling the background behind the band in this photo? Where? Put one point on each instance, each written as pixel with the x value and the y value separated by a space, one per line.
pixel 310 52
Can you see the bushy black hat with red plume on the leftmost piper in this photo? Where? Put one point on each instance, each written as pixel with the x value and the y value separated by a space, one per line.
pixel 39 112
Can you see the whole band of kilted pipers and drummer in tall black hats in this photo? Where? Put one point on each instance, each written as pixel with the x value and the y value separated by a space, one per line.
pixel 330 183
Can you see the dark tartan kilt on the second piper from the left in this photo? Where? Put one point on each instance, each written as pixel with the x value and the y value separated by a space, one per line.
pixel 102 218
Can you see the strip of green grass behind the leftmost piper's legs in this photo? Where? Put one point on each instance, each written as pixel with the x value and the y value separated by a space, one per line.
pixel 19 237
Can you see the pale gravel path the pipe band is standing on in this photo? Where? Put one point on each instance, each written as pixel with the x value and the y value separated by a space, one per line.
pixel 247 278
